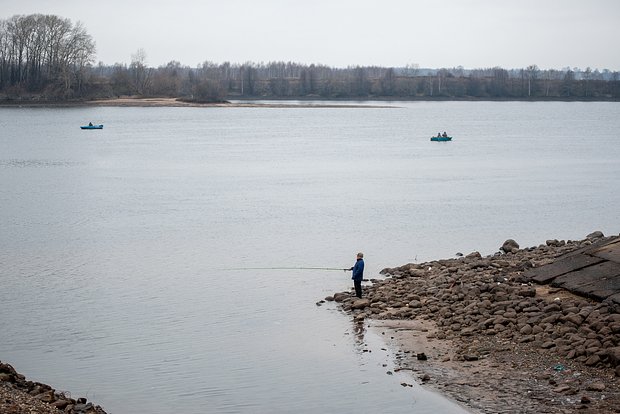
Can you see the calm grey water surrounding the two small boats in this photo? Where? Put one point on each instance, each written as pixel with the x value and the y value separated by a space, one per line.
pixel 119 246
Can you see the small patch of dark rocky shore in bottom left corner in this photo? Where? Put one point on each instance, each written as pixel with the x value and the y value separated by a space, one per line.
pixel 20 396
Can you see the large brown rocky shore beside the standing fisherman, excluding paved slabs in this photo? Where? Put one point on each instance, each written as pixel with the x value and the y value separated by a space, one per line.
pixel 473 328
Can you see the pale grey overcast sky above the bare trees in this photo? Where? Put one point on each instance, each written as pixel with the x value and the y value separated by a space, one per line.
pixel 552 34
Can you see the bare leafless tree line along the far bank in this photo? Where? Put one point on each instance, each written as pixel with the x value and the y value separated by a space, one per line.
pixel 47 57
